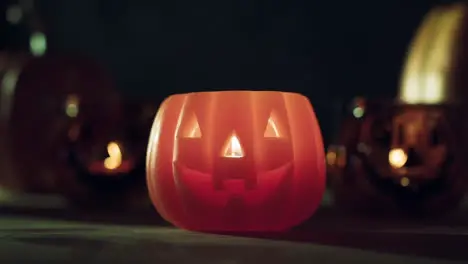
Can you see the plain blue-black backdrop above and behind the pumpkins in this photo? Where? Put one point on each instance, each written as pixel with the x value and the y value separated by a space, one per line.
pixel 328 50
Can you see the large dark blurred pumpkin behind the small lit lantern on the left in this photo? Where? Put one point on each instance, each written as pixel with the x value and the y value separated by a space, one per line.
pixel 51 95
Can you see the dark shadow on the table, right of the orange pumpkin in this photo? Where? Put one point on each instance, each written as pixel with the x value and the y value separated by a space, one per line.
pixel 440 238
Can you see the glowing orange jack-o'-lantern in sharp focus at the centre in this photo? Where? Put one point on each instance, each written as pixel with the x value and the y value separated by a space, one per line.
pixel 236 159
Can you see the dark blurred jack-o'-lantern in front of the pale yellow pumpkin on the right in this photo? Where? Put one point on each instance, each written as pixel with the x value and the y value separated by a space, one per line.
pixel 404 155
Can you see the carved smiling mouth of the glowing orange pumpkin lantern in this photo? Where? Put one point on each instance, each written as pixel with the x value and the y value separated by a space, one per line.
pixel 203 185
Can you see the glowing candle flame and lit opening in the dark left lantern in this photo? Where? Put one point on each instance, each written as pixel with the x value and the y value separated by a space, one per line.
pixel 113 164
